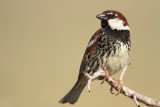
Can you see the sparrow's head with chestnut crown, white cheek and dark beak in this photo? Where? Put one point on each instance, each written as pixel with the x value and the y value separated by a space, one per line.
pixel 113 19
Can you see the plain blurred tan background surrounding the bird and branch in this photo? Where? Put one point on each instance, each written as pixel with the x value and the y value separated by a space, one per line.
pixel 42 43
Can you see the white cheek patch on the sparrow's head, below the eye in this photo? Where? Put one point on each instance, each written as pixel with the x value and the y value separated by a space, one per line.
pixel 117 24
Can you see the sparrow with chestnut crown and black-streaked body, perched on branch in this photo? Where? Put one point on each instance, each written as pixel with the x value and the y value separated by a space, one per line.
pixel 108 51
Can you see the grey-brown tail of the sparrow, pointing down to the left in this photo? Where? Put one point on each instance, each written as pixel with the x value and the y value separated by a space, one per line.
pixel 73 95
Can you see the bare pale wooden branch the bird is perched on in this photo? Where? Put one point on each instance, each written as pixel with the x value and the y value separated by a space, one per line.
pixel 137 97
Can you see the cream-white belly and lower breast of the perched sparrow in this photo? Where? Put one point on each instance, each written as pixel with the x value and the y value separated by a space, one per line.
pixel 118 58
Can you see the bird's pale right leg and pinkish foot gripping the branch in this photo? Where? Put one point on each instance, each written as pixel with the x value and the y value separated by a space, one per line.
pixel 120 83
